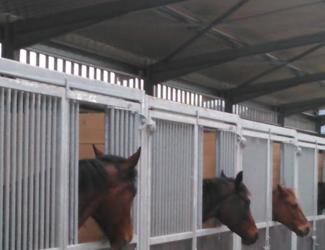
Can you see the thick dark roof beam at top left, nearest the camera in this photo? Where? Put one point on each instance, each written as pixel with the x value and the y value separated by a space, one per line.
pixel 36 29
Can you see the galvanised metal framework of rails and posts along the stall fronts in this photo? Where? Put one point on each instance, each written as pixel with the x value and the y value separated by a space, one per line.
pixel 69 87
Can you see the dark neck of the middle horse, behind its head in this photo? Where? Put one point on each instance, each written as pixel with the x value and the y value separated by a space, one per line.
pixel 214 192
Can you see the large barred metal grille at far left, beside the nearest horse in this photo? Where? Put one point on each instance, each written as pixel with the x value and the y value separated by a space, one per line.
pixel 28 161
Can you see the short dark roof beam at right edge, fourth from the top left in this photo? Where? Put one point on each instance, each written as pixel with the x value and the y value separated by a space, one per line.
pixel 299 107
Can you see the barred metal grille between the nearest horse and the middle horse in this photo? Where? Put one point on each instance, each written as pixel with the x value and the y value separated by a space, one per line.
pixel 172 178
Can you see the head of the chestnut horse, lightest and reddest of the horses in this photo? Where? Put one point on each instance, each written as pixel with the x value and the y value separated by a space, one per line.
pixel 287 210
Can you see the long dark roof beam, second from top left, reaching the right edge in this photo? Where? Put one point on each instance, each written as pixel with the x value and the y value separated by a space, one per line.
pixel 165 71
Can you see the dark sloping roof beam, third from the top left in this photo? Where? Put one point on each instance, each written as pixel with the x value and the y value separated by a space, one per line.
pixel 257 90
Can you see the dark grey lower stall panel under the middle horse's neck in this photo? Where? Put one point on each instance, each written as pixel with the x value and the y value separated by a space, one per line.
pixel 219 241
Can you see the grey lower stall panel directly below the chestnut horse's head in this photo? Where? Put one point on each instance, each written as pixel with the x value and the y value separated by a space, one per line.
pixel 280 238
